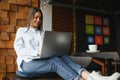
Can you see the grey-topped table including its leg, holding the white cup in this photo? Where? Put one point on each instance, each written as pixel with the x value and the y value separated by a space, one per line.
pixel 104 55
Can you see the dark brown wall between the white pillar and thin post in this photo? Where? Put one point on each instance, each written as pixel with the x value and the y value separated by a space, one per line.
pixel 62 20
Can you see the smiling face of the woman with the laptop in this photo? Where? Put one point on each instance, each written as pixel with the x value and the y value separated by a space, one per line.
pixel 36 20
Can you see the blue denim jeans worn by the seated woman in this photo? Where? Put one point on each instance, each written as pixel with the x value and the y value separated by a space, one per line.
pixel 64 66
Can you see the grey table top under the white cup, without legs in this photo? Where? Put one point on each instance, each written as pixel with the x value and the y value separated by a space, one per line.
pixel 110 55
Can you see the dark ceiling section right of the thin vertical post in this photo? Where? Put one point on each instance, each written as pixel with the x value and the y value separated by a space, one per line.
pixel 112 6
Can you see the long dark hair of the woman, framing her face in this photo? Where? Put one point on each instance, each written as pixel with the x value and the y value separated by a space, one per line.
pixel 31 15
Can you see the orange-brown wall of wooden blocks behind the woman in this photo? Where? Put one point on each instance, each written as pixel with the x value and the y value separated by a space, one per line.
pixel 13 14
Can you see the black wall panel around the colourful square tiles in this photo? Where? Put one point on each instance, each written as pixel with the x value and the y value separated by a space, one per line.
pixel 81 43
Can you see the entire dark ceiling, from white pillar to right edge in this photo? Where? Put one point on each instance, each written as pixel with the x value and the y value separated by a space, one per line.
pixel 110 6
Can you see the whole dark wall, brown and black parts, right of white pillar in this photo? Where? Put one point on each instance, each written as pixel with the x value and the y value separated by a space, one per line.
pixel 63 21
